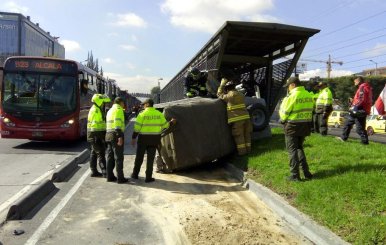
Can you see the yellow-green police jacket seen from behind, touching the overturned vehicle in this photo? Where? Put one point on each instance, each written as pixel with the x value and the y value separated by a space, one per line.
pixel 150 122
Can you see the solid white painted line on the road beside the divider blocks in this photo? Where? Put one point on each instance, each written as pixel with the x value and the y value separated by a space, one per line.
pixel 54 213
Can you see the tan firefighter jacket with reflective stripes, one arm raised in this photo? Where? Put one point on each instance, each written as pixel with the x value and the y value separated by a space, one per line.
pixel 236 109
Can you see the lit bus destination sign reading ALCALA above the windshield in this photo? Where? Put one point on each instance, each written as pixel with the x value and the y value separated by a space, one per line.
pixel 40 66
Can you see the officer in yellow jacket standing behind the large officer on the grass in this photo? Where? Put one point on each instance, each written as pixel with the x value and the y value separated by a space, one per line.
pixel 323 108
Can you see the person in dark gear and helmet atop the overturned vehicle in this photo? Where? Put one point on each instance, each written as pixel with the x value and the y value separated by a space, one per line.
pixel 195 83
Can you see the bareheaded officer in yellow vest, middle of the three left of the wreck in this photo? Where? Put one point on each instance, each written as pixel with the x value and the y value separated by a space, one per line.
pixel 115 138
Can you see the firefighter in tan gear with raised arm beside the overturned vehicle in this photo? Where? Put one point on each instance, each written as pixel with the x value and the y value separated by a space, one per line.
pixel 238 116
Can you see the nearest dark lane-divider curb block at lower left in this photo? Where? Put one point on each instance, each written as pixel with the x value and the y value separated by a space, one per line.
pixel 23 206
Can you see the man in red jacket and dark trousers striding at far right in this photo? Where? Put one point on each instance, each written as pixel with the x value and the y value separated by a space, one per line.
pixel 360 108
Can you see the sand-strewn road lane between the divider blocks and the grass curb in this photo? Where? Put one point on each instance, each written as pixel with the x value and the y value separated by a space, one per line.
pixel 205 206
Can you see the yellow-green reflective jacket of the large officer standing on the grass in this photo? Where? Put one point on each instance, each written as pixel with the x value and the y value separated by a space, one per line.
pixel 297 106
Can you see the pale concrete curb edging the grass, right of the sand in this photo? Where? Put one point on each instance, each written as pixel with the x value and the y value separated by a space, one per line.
pixel 298 221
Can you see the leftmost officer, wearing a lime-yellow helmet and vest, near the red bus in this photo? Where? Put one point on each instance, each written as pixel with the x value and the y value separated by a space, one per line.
pixel 96 131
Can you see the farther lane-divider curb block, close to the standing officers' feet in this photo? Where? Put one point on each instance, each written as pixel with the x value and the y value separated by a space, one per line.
pixel 69 166
